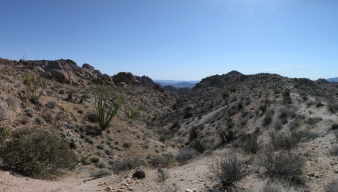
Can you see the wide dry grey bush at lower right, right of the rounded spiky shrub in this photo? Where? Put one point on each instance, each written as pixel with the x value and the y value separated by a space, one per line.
pixel 283 165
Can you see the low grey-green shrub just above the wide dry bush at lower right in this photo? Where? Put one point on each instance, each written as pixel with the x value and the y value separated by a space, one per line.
pixel 284 140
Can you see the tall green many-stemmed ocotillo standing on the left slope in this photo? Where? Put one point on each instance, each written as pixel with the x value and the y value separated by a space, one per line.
pixel 106 106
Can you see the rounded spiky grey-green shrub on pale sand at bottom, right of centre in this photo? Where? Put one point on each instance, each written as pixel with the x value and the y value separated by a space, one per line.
pixel 228 171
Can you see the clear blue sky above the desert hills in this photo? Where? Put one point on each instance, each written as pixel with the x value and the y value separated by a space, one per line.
pixel 177 39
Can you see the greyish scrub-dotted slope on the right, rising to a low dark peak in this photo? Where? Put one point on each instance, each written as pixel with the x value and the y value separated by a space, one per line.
pixel 223 109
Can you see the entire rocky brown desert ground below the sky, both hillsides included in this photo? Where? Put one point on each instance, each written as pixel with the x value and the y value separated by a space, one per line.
pixel 172 136
